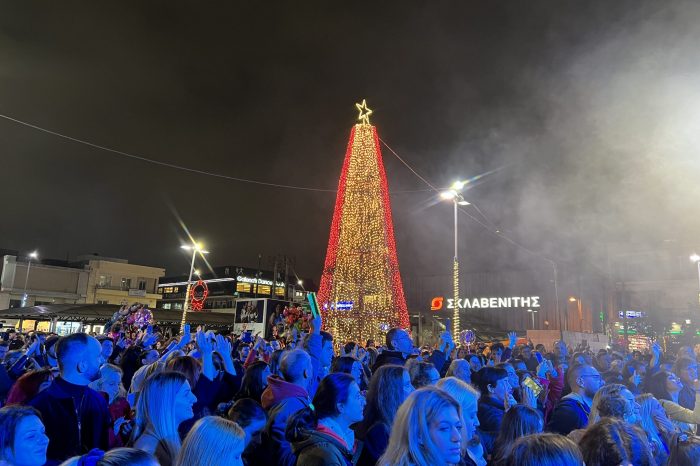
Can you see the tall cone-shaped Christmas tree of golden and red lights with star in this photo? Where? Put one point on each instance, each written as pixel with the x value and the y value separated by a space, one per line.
pixel 361 293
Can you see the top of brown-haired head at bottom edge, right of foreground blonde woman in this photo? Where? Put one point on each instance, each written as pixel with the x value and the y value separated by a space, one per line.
pixel 544 450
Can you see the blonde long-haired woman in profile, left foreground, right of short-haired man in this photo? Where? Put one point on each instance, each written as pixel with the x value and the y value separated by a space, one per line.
pixel 165 401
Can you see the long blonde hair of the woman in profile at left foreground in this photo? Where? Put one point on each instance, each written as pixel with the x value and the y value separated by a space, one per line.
pixel 154 410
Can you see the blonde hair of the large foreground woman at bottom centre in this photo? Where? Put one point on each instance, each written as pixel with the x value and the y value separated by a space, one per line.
pixel 410 443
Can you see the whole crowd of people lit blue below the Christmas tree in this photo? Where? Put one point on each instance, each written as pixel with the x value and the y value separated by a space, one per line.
pixel 209 399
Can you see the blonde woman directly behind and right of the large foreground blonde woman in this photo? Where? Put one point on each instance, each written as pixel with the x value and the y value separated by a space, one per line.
pixel 468 398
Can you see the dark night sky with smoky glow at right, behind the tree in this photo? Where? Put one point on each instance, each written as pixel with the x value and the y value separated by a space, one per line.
pixel 585 113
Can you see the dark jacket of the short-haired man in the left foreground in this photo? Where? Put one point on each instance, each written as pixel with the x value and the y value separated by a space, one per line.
pixel 73 428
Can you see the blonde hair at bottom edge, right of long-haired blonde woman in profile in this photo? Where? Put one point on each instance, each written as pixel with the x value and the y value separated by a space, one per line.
pixel 210 443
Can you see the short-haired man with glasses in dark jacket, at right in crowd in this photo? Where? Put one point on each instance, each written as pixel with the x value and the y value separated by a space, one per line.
pixel 572 411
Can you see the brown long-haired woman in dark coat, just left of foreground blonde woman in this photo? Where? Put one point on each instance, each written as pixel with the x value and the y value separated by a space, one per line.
pixel 388 388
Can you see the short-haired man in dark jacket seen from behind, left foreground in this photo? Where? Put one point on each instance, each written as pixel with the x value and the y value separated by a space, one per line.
pixel 76 417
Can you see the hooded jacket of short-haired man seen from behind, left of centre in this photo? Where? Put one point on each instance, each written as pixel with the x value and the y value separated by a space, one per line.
pixel 280 399
